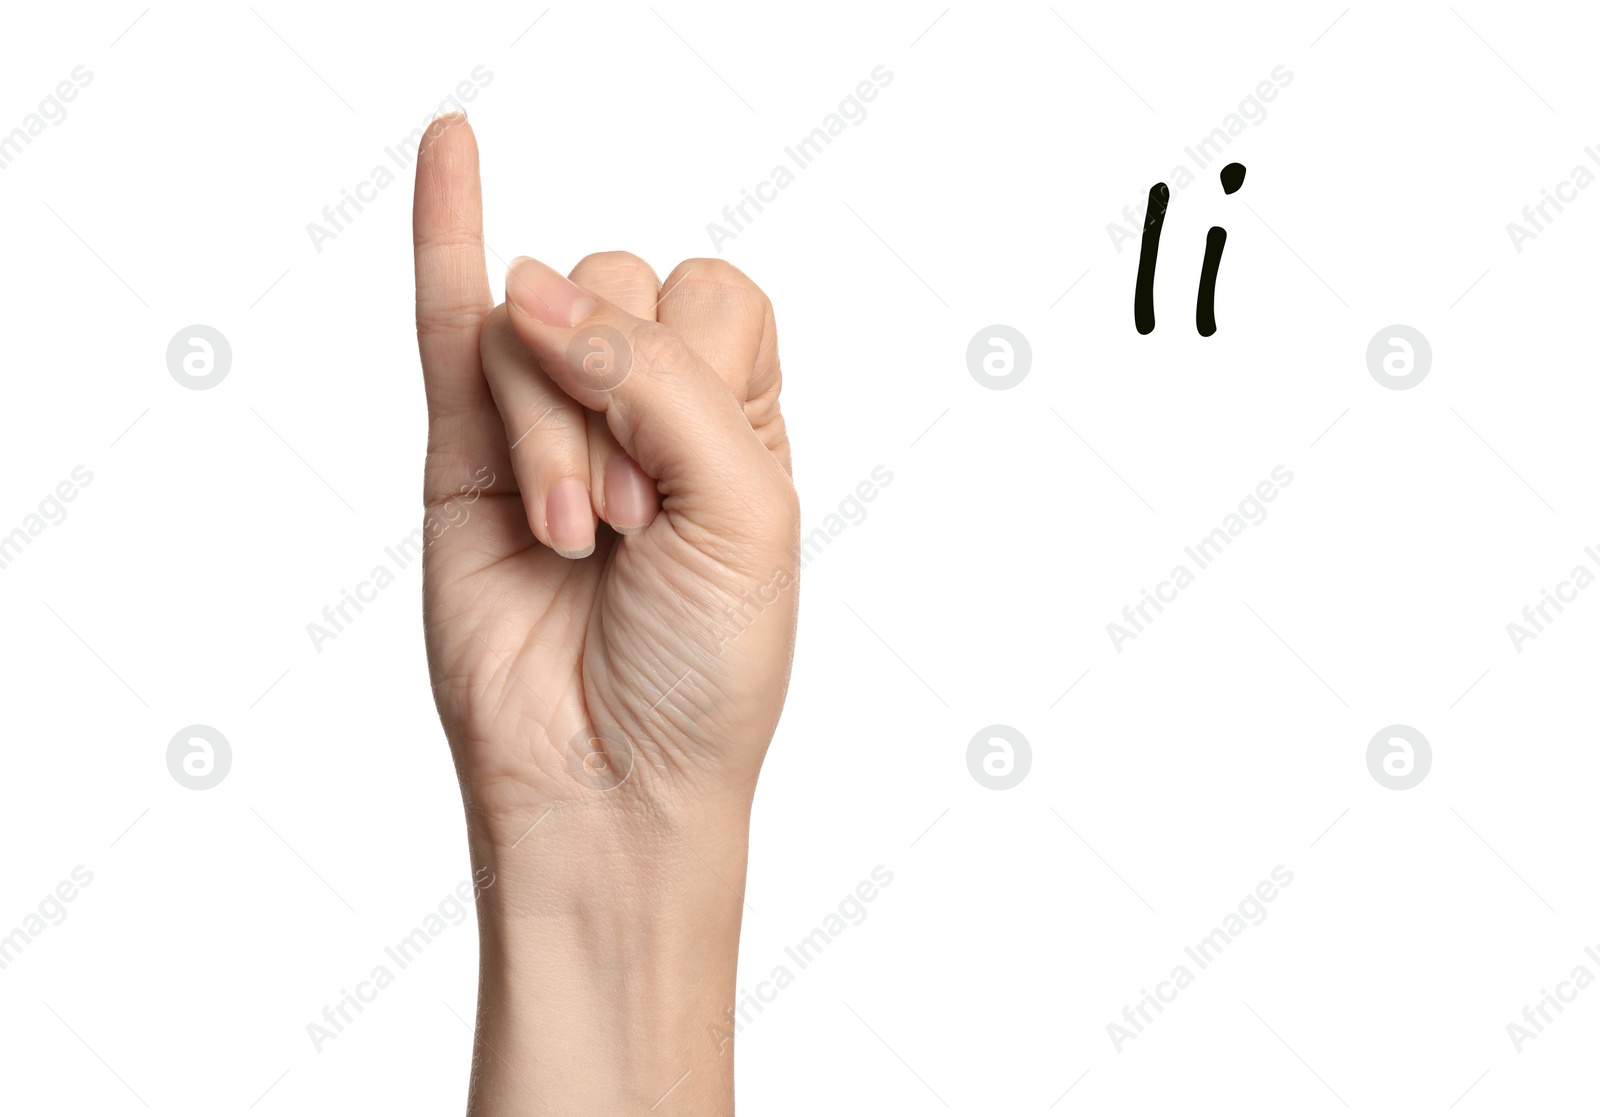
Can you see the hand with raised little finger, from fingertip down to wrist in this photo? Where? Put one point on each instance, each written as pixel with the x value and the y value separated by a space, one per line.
pixel 546 628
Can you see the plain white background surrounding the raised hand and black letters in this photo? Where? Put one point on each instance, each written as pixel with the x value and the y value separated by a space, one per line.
pixel 1177 774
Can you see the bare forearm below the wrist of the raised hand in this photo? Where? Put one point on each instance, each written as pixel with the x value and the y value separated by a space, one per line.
pixel 606 964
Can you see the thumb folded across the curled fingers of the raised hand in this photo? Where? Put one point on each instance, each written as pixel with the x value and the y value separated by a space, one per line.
pixel 668 409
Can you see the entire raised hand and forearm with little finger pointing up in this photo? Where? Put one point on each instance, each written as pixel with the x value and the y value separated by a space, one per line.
pixel 610 596
